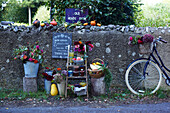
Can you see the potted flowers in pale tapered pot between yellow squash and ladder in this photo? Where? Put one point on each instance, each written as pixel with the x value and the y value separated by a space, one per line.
pixel 60 79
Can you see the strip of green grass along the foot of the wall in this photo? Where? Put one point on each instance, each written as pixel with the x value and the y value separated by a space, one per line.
pixel 120 94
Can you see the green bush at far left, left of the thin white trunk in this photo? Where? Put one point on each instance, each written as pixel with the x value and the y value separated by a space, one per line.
pixel 14 12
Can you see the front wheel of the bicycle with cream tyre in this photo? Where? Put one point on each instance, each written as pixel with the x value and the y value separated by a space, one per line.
pixel 141 84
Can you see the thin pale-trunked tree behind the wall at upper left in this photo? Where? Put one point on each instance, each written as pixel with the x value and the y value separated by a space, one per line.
pixel 31 4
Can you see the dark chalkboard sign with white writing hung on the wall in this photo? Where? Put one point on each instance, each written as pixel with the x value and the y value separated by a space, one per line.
pixel 60 44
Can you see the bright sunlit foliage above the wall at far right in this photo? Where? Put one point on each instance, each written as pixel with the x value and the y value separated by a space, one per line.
pixel 154 15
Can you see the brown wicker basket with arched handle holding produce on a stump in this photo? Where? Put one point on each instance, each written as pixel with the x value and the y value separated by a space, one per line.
pixel 96 73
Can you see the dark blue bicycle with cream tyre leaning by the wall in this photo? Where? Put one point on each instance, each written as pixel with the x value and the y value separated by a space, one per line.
pixel 144 75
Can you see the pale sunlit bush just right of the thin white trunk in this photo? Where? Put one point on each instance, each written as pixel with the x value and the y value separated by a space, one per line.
pixel 42 14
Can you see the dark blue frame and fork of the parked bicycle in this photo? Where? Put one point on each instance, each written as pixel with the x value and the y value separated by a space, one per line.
pixel 159 63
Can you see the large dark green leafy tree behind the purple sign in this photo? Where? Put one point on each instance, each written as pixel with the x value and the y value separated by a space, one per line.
pixel 103 11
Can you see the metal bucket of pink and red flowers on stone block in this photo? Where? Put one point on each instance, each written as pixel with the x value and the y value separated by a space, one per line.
pixel 31 56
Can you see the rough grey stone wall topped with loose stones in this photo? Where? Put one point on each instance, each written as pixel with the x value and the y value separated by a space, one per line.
pixel 111 44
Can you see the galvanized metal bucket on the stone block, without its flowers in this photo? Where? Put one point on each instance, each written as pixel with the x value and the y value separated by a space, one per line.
pixel 31 69
